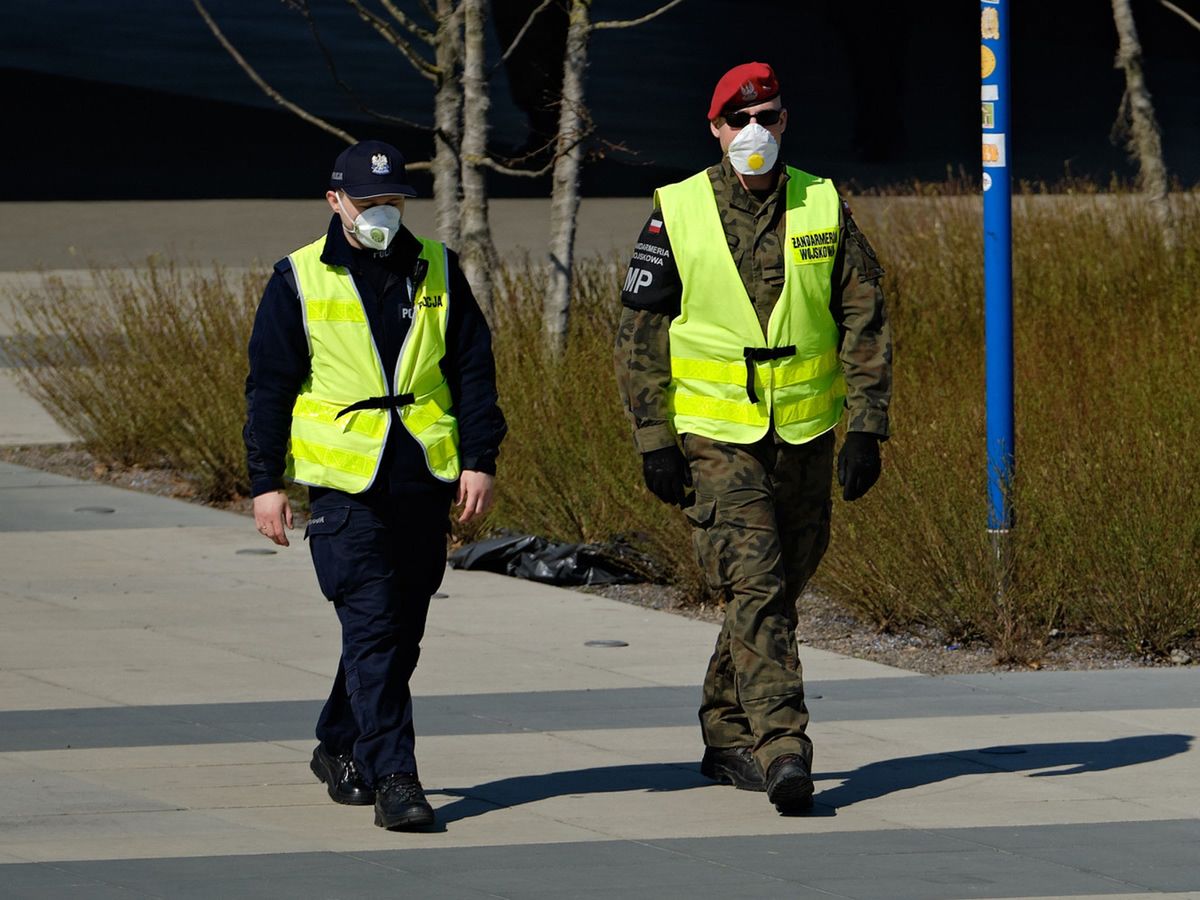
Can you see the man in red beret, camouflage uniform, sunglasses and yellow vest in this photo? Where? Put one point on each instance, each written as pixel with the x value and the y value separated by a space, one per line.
pixel 753 316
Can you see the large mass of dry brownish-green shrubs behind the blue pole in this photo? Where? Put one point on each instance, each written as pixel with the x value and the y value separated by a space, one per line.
pixel 1108 479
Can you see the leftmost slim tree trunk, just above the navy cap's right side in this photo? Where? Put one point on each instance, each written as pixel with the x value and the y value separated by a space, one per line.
pixel 448 122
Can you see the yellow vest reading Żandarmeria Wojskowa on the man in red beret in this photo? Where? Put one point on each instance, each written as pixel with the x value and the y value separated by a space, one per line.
pixel 729 381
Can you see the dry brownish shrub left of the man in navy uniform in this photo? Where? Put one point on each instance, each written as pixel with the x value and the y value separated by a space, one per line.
pixel 146 367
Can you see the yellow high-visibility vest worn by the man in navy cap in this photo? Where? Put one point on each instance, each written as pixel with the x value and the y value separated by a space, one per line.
pixel 343 416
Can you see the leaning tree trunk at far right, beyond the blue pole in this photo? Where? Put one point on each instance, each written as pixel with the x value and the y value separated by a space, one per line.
pixel 1144 141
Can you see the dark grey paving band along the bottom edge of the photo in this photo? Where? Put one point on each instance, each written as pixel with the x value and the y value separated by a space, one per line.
pixel 889 866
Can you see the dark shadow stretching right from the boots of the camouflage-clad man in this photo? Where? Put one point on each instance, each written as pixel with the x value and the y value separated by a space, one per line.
pixel 880 779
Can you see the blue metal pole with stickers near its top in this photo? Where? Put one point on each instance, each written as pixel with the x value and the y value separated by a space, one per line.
pixel 998 249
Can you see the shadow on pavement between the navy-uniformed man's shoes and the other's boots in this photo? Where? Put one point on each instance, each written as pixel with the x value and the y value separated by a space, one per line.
pixel 530 789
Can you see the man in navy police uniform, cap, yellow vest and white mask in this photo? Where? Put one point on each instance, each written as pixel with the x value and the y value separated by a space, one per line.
pixel 373 381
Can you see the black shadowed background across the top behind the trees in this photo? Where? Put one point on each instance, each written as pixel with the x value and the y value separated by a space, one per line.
pixel 136 100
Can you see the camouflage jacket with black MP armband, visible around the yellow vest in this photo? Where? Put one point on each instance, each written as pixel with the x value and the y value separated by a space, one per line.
pixel 754 230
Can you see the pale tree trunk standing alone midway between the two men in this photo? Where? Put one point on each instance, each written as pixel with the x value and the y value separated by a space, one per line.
pixel 565 201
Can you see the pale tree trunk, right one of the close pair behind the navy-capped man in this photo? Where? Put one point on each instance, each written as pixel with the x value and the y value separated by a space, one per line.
pixel 478 250
